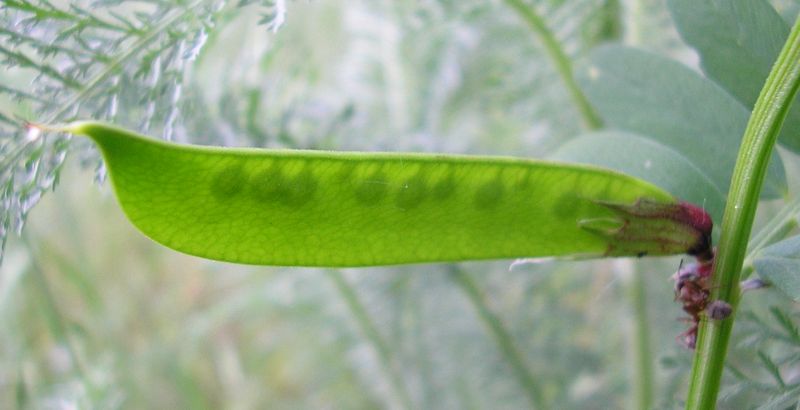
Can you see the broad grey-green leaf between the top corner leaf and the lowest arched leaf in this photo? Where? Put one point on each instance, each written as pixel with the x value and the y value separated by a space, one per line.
pixel 661 99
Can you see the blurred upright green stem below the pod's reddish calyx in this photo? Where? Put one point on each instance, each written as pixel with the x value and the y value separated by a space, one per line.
pixel 643 372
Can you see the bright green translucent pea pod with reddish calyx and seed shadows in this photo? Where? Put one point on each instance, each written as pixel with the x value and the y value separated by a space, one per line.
pixel 322 208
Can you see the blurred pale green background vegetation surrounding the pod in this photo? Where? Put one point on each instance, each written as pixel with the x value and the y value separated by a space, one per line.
pixel 95 315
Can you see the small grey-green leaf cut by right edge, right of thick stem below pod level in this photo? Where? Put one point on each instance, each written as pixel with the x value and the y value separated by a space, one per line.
pixel 779 264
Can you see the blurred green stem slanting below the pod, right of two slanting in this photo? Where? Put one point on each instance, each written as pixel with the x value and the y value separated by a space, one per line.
pixel 502 336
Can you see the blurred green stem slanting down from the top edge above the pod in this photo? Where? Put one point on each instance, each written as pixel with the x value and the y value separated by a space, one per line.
pixel 562 63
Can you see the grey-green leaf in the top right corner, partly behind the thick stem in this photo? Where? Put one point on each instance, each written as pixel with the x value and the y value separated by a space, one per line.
pixel 738 41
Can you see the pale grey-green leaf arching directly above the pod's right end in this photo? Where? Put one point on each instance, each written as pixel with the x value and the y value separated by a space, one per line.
pixel 649 160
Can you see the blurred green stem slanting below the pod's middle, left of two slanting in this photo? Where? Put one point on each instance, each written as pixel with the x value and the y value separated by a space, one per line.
pixel 370 331
